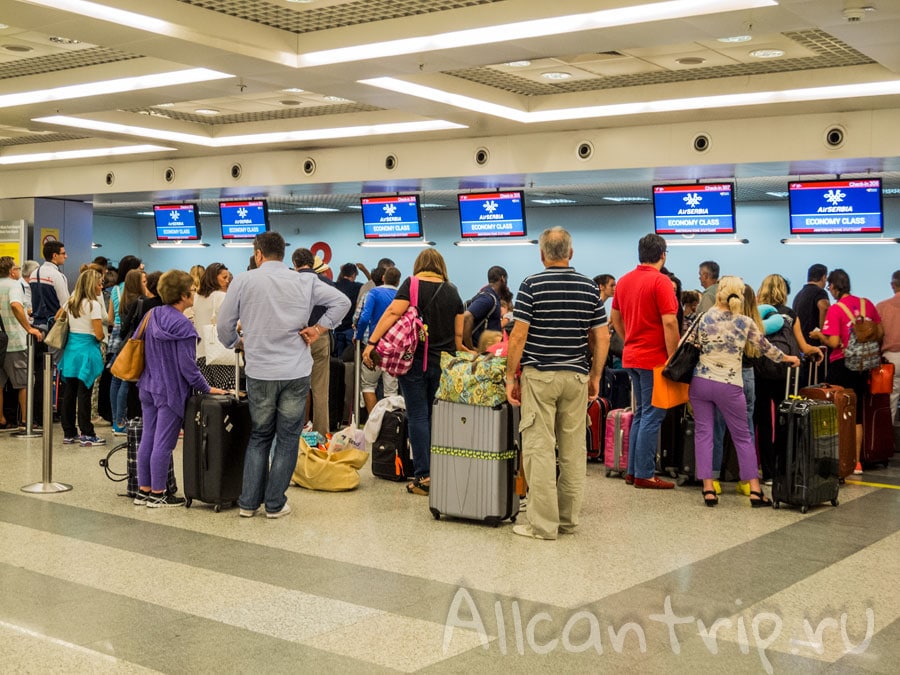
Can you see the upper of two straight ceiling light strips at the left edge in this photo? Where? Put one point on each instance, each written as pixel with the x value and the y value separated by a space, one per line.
pixel 117 86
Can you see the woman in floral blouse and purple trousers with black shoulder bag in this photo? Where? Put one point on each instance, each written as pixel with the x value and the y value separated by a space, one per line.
pixel 718 385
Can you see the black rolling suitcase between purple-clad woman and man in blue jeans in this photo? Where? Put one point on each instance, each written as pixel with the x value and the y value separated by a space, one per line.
pixel 216 433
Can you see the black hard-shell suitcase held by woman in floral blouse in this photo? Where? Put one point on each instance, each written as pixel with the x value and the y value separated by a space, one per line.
pixel 806 457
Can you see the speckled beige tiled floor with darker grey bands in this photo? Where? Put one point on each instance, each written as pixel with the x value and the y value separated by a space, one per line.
pixel 368 581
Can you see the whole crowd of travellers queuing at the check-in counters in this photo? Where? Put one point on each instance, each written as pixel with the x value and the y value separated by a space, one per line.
pixel 556 336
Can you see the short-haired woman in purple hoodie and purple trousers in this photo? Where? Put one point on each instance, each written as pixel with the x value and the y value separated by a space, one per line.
pixel 170 376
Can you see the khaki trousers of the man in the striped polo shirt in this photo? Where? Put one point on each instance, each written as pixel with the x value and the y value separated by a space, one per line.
pixel 554 410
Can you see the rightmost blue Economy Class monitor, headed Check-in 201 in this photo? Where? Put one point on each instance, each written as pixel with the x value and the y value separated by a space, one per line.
pixel 836 206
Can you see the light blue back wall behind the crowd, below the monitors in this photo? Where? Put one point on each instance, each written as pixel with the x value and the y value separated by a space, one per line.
pixel 605 241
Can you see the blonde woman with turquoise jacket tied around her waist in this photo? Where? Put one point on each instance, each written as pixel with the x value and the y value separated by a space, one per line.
pixel 82 360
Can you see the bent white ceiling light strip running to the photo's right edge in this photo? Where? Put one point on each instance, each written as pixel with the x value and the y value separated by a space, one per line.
pixel 883 88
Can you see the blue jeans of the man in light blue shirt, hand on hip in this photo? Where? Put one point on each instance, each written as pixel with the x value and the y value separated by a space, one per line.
pixel 277 411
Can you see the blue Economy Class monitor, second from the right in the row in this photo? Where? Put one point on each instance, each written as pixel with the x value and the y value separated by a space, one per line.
pixel 704 208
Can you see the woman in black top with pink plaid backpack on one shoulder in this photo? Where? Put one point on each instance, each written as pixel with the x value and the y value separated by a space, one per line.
pixel 442 310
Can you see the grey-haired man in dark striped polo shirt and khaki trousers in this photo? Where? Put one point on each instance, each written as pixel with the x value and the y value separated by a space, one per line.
pixel 561 339
